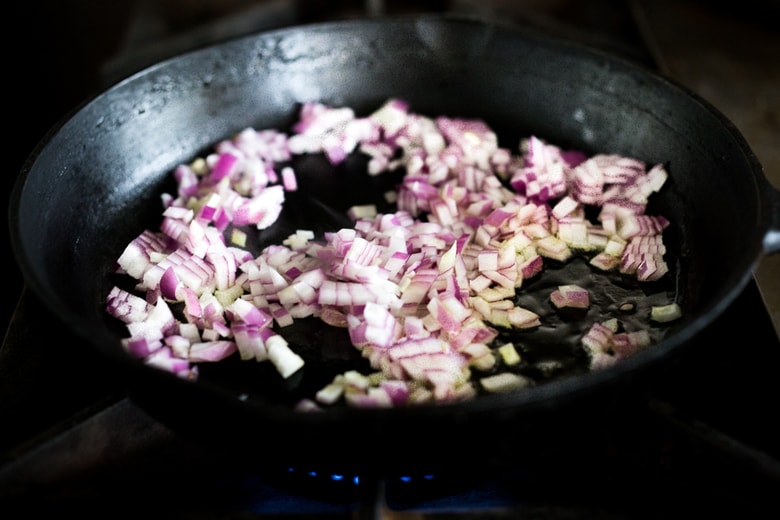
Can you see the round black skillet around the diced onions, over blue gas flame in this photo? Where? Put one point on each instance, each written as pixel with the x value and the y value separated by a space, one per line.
pixel 94 183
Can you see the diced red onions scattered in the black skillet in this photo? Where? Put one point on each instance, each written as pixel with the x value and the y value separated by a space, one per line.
pixel 422 291
